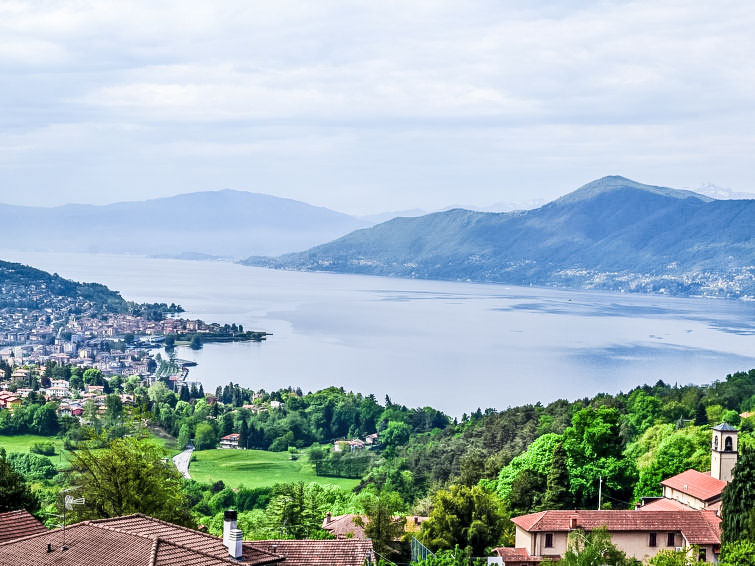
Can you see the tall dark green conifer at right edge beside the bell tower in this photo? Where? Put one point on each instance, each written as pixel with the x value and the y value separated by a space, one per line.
pixel 739 499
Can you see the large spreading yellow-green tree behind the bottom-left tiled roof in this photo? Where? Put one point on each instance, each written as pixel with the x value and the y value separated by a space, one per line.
pixel 129 476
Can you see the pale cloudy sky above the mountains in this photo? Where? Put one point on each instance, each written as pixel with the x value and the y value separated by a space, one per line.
pixel 366 106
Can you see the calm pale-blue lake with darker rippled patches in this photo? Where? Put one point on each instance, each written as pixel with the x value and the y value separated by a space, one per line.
pixel 454 346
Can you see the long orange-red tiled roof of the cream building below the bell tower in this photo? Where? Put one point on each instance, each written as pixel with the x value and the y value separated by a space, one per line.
pixel 698 527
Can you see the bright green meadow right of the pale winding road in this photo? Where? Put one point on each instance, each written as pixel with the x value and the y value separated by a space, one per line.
pixel 256 468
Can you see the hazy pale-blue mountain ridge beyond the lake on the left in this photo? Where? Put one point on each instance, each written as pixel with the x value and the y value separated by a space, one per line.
pixel 197 225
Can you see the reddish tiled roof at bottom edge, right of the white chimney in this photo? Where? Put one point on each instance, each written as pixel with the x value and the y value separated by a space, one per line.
pixel 340 552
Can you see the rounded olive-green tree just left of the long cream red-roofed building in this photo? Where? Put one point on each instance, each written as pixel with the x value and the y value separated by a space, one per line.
pixel 464 516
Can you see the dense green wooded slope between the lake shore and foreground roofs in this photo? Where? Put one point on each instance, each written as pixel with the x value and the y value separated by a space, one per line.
pixel 507 463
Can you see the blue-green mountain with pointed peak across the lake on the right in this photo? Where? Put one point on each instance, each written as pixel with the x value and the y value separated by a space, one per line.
pixel 613 233
